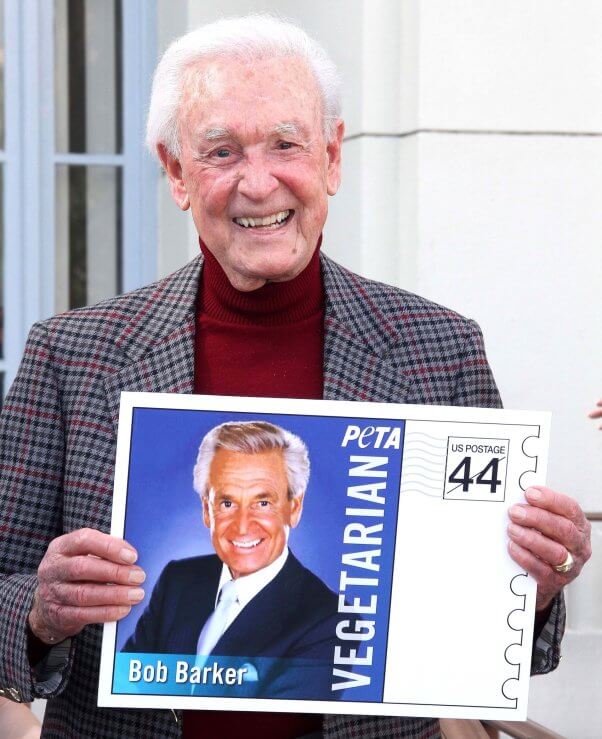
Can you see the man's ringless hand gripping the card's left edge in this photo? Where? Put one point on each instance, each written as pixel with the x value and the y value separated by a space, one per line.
pixel 85 577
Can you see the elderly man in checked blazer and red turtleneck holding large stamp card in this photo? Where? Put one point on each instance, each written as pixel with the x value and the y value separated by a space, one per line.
pixel 245 120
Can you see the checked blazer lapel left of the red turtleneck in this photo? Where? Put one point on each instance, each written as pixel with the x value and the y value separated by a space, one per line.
pixel 159 341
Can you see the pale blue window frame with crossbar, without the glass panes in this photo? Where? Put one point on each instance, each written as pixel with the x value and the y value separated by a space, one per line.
pixel 30 161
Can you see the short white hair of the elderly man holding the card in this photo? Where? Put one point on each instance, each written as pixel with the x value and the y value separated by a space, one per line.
pixel 247 38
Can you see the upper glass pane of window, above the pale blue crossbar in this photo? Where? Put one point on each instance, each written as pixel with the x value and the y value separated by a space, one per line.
pixel 87 48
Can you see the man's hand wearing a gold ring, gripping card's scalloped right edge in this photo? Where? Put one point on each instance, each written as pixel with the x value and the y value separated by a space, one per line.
pixel 542 533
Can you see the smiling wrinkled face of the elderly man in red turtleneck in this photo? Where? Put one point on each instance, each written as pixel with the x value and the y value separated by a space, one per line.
pixel 252 147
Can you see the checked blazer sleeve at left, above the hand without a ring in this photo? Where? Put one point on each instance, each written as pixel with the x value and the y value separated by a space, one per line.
pixel 31 477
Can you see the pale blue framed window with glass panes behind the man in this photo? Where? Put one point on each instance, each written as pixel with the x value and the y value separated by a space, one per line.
pixel 79 193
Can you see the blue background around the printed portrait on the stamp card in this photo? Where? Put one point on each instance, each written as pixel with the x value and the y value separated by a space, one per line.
pixel 163 513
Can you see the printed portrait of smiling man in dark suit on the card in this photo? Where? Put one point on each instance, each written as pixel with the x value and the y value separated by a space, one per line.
pixel 252 598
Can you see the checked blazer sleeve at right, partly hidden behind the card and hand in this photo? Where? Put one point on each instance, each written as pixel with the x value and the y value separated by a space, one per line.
pixel 476 387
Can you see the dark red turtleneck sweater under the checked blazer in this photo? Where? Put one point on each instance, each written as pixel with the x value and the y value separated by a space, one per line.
pixel 265 343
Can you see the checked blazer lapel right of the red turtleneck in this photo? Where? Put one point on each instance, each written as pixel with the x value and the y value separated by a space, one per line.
pixel 357 336
